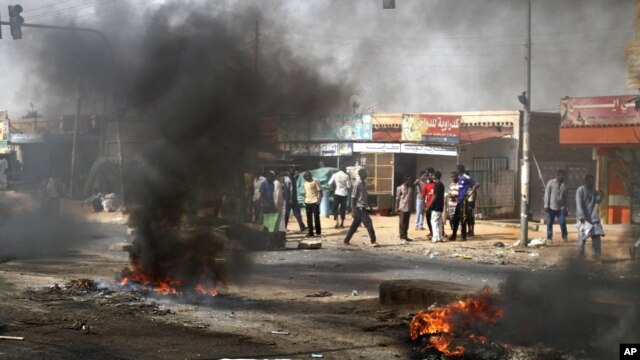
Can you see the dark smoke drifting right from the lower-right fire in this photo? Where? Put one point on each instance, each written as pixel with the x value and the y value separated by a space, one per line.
pixel 573 310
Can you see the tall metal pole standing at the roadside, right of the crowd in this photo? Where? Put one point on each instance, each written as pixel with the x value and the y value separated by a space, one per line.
pixel 524 173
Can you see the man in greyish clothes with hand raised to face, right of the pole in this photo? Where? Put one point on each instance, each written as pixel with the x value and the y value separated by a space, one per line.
pixel 589 226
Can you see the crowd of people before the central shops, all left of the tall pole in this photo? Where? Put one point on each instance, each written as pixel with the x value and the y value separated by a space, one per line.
pixel 271 198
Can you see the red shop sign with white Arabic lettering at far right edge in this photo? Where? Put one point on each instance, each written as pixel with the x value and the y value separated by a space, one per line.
pixel 604 110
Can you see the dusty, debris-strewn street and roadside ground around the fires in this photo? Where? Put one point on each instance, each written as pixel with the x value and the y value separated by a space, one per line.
pixel 294 304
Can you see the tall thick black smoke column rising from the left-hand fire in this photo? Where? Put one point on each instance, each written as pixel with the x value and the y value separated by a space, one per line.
pixel 196 80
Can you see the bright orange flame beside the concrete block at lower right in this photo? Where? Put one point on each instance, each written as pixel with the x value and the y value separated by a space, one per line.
pixel 449 326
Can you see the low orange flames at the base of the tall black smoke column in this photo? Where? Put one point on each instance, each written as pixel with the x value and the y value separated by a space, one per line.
pixel 166 286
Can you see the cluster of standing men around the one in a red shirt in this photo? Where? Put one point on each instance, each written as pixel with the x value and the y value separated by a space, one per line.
pixel 431 200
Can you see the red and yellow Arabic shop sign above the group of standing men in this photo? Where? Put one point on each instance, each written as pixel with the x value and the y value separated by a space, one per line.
pixel 426 128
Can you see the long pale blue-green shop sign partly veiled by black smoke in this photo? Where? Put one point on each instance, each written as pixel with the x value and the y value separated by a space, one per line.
pixel 328 128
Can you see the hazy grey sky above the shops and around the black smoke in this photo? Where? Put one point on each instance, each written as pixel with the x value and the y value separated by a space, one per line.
pixel 424 56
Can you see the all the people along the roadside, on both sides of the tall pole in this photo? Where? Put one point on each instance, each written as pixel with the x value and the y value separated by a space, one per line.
pixel 271 198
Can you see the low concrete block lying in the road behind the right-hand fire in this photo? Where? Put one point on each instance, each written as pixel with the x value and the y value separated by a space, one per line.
pixel 422 292
